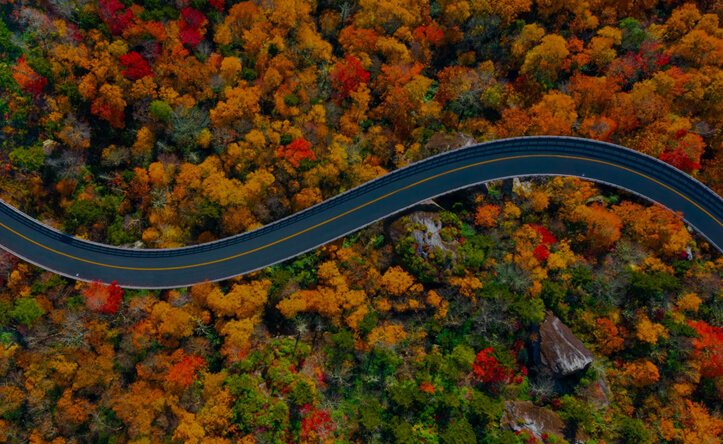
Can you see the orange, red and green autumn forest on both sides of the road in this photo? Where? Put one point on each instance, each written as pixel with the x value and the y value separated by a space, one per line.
pixel 533 310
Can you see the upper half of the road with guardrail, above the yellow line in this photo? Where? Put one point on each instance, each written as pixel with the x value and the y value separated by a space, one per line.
pixel 509 147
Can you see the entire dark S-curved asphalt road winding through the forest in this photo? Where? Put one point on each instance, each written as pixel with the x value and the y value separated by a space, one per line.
pixel 39 244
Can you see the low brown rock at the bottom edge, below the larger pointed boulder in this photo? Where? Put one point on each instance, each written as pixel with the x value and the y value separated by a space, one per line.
pixel 524 415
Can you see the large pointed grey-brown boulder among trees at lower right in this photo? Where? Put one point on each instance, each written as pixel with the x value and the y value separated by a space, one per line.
pixel 560 350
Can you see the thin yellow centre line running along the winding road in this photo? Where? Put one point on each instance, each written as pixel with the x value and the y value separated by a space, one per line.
pixel 391 193
